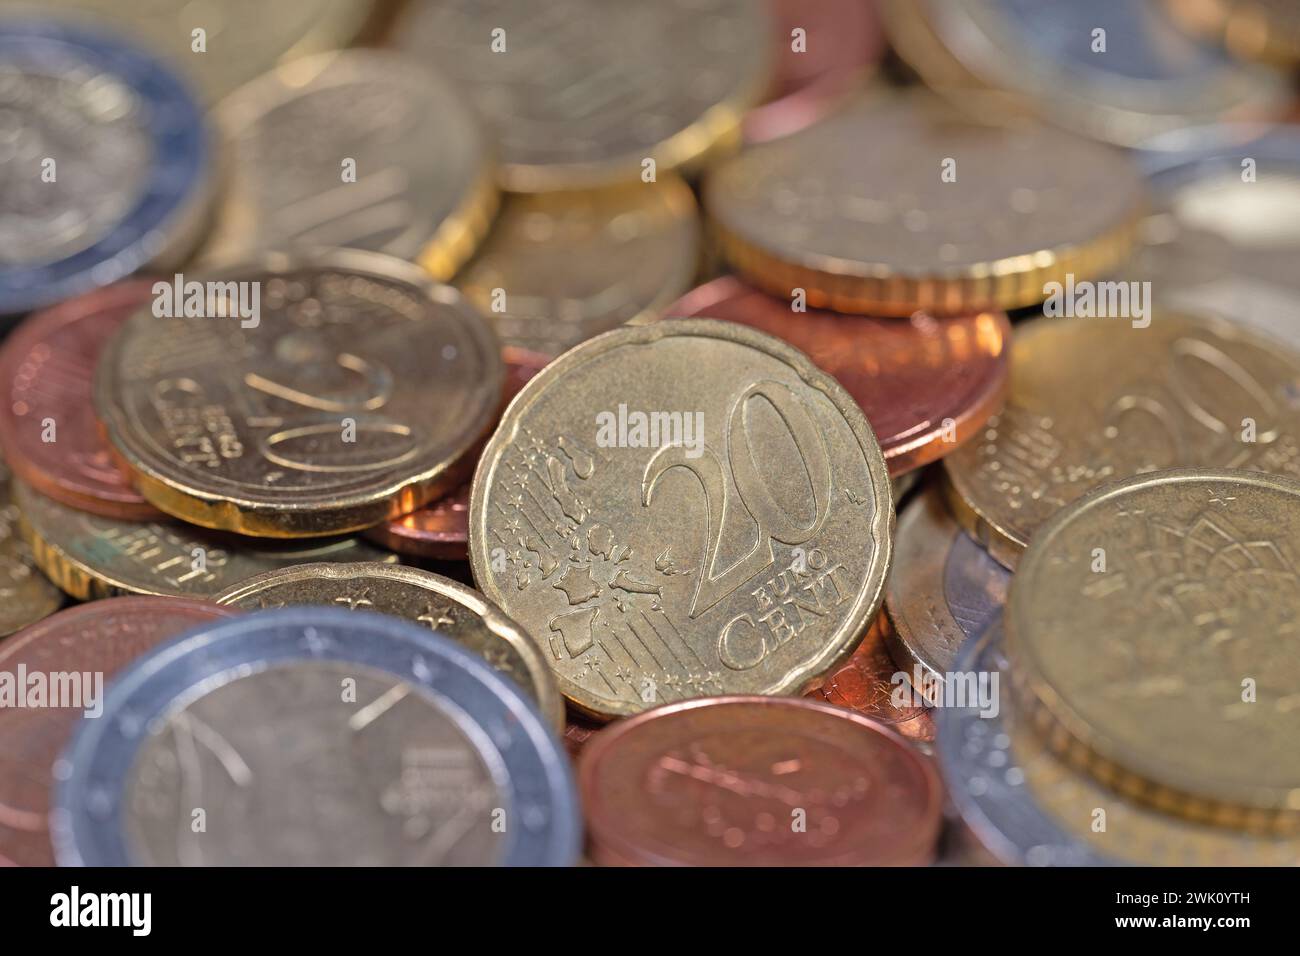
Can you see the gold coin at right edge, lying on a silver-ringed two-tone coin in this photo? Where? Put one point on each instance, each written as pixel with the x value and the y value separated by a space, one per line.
pixel 1152 635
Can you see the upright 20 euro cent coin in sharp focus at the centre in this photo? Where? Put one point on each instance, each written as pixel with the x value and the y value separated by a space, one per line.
pixel 673 535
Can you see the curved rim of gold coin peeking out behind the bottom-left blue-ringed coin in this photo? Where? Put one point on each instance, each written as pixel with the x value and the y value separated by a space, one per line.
pixel 548 697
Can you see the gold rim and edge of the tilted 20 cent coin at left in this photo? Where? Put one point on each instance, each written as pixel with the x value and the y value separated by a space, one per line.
pixel 180 491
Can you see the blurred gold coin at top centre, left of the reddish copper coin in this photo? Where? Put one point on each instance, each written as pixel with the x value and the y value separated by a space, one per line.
pixel 580 93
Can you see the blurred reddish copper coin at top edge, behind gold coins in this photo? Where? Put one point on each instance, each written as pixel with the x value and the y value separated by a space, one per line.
pixel 840 46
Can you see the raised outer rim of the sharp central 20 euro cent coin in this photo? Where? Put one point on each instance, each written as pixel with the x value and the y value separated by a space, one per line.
pixel 870 596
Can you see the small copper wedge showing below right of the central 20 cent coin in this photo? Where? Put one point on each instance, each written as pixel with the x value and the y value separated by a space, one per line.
pixel 866 685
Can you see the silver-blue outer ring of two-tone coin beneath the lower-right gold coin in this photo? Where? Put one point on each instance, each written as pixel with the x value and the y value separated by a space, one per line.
pixel 985 781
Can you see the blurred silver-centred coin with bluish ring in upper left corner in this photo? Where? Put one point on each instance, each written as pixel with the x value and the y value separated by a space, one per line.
pixel 109 167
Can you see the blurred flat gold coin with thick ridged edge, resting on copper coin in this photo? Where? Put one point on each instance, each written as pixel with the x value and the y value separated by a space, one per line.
pixel 896 206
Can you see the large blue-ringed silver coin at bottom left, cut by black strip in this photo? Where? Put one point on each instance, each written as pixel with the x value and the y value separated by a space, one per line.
pixel 315 737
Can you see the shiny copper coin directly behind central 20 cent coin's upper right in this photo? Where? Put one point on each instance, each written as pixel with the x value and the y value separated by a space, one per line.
pixel 925 384
